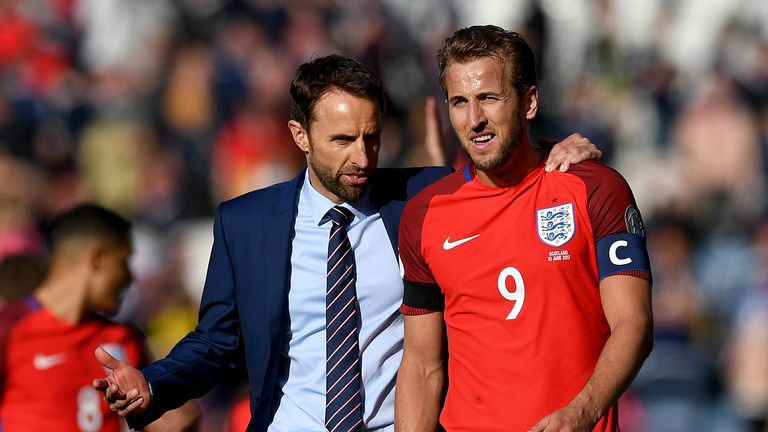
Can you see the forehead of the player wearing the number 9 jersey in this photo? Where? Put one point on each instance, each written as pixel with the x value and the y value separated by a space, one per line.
pixel 483 74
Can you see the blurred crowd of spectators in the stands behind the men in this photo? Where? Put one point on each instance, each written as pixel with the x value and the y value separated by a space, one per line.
pixel 160 109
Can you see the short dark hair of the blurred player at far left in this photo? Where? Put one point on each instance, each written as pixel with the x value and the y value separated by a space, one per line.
pixel 88 221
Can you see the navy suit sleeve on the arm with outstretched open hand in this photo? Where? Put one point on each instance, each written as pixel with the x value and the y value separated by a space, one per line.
pixel 200 359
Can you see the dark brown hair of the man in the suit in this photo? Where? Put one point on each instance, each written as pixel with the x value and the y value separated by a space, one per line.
pixel 323 74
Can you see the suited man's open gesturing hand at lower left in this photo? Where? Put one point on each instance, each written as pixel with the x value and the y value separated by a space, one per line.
pixel 127 390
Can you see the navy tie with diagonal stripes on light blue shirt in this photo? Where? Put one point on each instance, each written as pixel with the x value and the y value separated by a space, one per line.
pixel 343 406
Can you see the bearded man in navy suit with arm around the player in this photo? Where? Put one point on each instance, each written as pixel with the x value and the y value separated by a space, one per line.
pixel 265 301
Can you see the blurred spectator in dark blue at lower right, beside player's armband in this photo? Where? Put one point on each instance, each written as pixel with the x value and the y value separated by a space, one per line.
pixel 678 385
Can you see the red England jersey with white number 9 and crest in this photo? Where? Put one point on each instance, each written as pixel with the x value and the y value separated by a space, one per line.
pixel 518 270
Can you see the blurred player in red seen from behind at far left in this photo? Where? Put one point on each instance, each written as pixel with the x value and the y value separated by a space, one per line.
pixel 47 338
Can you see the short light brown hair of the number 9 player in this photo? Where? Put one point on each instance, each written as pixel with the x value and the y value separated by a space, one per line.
pixel 476 42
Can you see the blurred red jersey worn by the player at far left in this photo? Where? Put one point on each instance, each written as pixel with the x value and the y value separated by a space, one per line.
pixel 47 367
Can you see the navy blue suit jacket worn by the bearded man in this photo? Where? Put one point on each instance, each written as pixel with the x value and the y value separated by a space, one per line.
pixel 243 312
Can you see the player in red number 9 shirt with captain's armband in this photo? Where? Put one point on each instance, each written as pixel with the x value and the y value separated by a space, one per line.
pixel 540 280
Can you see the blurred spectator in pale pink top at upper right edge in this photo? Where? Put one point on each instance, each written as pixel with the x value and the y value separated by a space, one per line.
pixel 717 138
